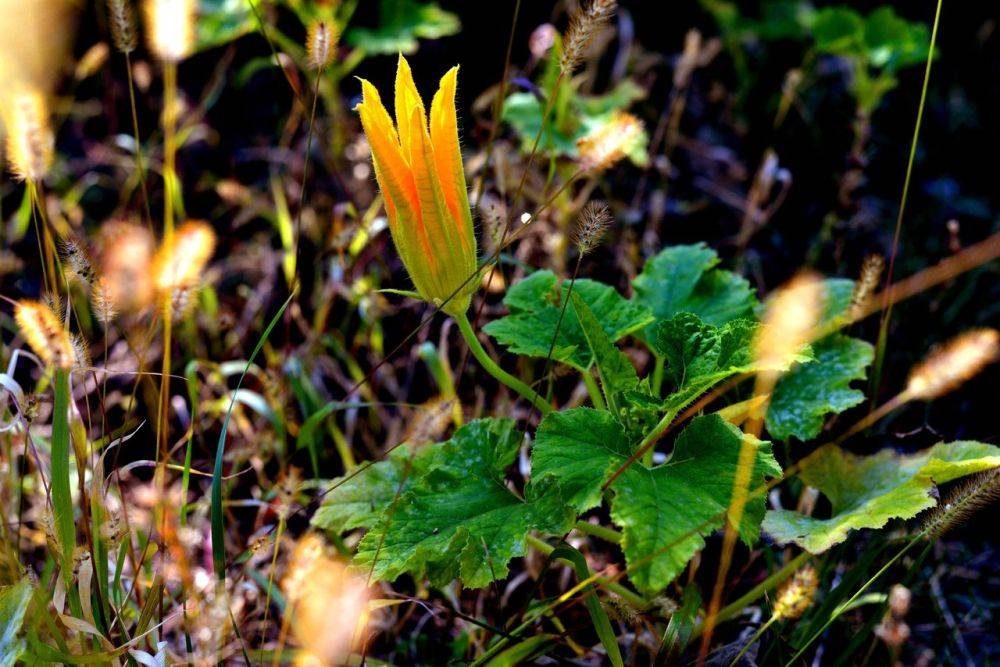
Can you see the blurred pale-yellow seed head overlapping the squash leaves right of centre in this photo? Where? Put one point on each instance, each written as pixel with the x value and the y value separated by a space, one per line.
pixel 790 321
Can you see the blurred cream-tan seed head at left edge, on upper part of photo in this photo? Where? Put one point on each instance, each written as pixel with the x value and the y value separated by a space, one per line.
pixel 30 142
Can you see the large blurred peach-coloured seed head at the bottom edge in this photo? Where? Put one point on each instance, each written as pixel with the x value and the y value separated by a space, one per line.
pixel 330 602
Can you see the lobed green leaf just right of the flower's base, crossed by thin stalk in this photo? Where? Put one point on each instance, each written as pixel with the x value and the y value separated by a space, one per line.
pixel 535 304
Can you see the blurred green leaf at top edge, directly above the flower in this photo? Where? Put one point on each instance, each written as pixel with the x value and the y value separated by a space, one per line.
pixel 401 24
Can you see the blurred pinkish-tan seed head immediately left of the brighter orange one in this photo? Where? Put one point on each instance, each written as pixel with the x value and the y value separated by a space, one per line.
pixel 124 278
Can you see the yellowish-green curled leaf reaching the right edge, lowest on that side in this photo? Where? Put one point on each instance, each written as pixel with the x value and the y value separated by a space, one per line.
pixel 868 491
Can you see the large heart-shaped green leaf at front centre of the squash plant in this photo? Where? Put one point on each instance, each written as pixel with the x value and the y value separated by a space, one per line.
pixel 666 510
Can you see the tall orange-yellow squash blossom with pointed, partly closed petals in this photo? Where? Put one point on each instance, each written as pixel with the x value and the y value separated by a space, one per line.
pixel 419 171
